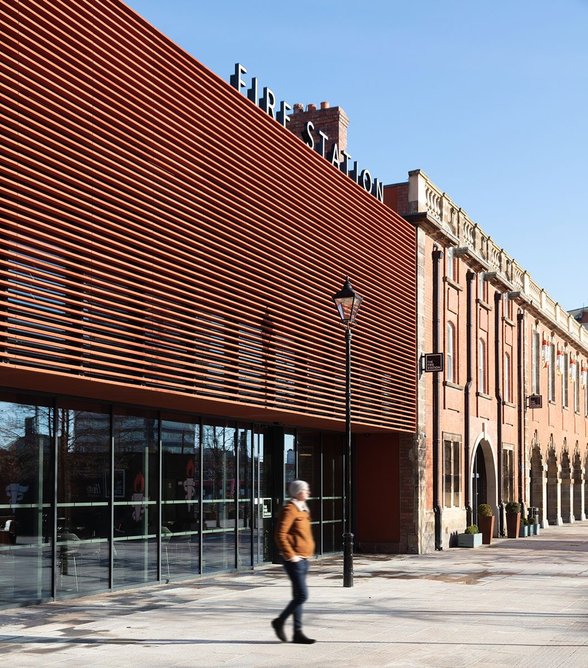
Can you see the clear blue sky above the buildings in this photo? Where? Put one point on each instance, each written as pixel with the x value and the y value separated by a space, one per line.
pixel 488 97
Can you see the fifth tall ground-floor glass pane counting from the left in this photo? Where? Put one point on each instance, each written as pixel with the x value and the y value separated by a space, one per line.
pixel 219 492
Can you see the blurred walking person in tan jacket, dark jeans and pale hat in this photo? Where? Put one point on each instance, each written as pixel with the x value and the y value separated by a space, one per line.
pixel 294 539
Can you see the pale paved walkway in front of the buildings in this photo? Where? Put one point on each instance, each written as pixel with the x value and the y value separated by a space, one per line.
pixel 515 603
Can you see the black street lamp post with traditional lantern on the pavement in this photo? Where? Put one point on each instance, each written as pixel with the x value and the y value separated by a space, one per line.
pixel 347 302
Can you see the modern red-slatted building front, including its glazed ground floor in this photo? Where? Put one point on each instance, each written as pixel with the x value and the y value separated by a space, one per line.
pixel 169 352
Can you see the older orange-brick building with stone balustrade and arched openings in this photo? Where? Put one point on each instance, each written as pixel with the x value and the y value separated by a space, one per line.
pixel 507 420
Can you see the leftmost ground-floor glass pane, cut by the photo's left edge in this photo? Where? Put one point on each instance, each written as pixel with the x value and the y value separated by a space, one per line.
pixel 26 436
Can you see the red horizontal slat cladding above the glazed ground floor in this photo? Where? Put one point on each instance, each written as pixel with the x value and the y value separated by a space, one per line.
pixel 159 230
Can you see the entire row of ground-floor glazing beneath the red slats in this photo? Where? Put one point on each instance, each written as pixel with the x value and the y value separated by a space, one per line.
pixel 94 496
